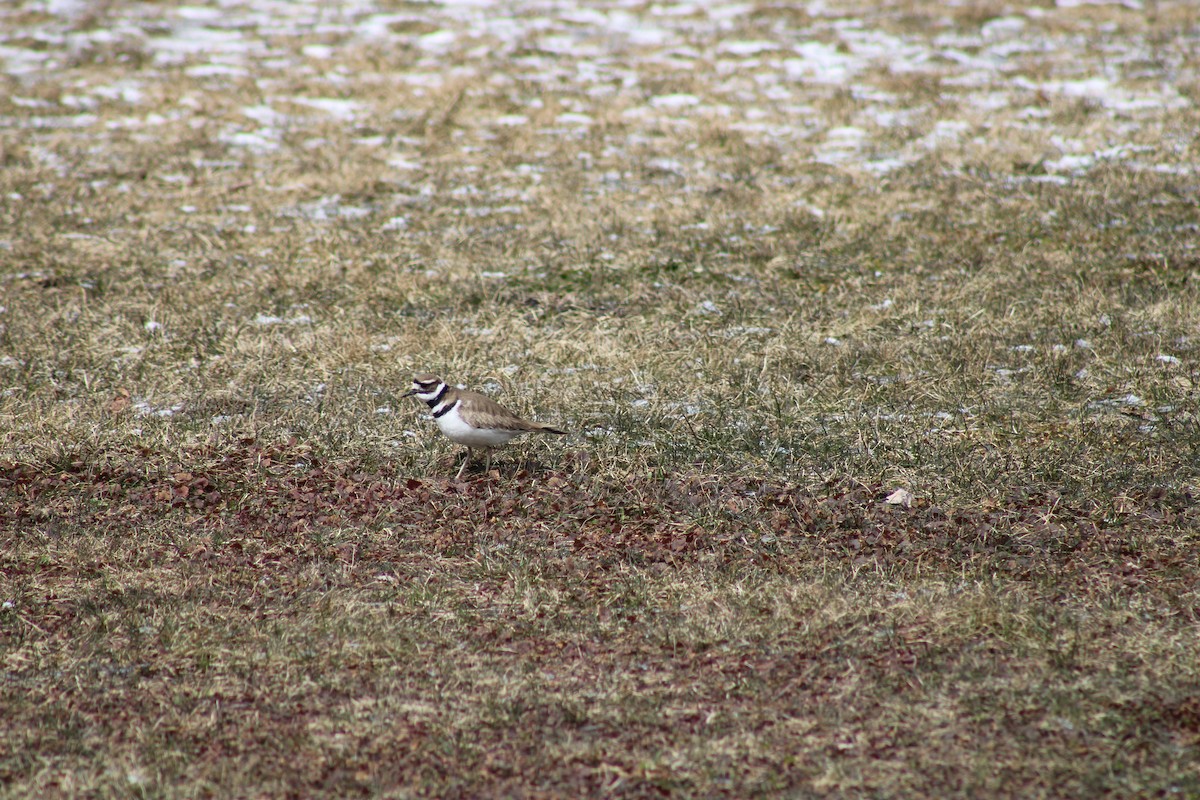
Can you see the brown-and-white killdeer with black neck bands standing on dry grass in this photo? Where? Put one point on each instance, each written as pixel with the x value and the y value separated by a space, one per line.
pixel 472 419
